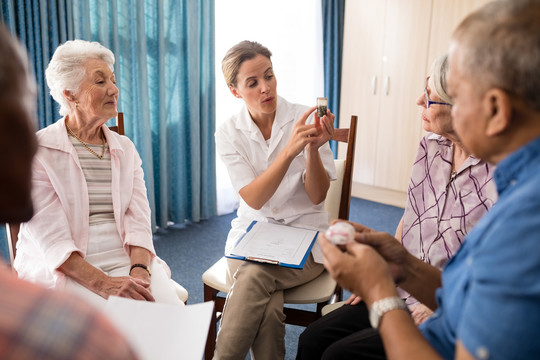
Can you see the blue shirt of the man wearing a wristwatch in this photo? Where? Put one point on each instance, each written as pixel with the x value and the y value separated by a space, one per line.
pixel 490 298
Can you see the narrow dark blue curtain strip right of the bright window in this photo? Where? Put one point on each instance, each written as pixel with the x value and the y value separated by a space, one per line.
pixel 333 20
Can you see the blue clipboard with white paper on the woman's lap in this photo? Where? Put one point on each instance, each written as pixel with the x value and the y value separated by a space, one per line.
pixel 276 244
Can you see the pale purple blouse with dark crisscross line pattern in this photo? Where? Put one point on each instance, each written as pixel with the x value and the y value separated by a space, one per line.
pixel 442 207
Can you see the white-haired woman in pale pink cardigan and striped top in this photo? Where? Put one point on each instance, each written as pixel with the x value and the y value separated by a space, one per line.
pixel 91 231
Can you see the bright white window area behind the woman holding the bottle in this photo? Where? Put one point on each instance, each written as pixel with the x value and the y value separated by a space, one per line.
pixel 292 30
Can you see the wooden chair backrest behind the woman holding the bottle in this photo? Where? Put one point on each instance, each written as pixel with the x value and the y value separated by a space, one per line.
pixel 338 197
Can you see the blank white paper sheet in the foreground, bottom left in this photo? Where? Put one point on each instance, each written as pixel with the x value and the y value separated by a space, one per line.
pixel 162 331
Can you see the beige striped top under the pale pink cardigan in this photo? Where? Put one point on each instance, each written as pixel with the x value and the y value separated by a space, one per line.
pixel 98 179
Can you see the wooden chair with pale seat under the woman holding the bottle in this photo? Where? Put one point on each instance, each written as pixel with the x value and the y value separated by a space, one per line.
pixel 321 290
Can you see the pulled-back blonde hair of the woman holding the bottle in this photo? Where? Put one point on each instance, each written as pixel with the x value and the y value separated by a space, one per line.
pixel 244 50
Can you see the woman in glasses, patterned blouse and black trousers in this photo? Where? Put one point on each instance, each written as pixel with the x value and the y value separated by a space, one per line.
pixel 449 191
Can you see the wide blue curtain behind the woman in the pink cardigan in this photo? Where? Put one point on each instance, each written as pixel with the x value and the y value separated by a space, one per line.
pixel 164 68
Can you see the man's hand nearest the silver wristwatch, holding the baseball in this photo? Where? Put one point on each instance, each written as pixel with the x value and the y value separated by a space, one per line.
pixel 360 270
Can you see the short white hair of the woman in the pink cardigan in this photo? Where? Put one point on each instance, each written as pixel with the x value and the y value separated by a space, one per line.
pixel 66 69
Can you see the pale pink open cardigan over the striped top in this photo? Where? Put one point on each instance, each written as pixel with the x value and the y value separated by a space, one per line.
pixel 60 224
